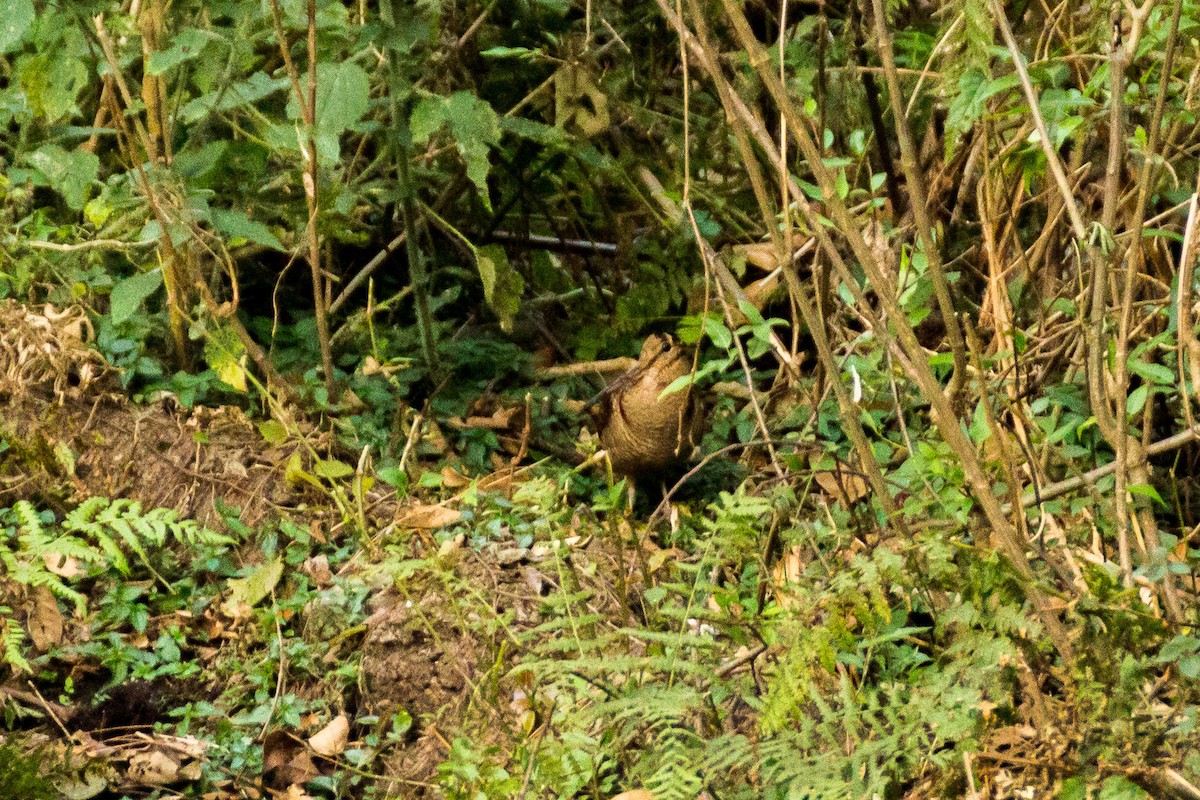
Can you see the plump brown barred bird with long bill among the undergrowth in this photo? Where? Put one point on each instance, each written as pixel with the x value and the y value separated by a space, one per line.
pixel 643 432
